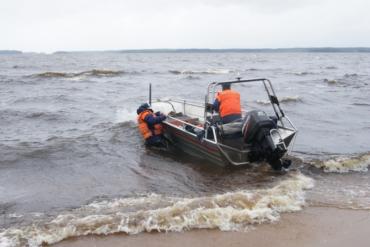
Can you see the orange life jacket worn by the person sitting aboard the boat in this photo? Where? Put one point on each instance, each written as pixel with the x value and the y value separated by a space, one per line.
pixel 229 102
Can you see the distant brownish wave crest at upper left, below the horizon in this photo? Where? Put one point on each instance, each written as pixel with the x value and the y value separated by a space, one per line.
pixel 92 73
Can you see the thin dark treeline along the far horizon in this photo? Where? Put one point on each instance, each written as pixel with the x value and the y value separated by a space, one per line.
pixel 277 50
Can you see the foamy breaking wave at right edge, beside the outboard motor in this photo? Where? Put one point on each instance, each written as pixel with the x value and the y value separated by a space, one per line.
pixel 344 164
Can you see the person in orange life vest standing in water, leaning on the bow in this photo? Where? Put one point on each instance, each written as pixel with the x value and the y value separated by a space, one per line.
pixel 150 125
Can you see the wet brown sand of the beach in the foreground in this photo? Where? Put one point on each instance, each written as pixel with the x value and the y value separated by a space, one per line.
pixel 314 226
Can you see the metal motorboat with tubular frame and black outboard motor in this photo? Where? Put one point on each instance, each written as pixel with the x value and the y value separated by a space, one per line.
pixel 197 130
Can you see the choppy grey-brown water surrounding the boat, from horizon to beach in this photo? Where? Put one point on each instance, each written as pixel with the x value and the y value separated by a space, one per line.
pixel 72 162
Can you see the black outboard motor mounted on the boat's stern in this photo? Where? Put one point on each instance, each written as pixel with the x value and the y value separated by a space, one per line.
pixel 258 131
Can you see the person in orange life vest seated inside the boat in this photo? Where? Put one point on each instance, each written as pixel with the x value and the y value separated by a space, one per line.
pixel 227 103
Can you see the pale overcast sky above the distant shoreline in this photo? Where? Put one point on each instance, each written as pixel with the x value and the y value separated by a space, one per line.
pixel 51 25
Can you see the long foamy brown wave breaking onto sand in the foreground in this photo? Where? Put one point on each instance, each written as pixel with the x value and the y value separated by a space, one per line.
pixel 233 211
